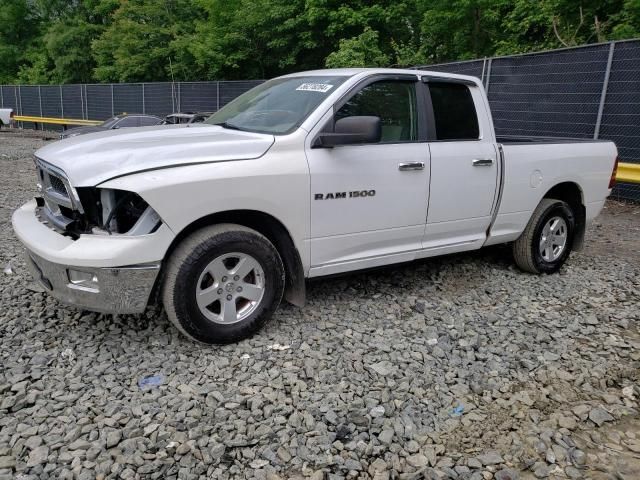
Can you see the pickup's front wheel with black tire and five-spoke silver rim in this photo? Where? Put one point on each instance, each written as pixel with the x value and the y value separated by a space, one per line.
pixel 203 265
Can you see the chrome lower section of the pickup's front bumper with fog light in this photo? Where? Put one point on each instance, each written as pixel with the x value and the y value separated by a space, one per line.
pixel 108 290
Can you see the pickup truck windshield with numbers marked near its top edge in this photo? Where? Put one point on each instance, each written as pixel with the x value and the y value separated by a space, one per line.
pixel 278 106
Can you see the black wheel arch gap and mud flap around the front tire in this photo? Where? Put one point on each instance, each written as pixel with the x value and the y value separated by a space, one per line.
pixel 276 233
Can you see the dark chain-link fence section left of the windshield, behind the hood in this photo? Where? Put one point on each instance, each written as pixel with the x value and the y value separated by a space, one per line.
pixel 101 101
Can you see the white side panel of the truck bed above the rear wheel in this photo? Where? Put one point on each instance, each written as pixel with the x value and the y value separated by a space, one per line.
pixel 531 170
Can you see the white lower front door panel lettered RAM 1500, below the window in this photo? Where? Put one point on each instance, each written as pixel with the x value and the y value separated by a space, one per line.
pixel 385 220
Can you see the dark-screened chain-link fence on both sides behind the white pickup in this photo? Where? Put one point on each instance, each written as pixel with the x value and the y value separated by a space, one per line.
pixel 588 92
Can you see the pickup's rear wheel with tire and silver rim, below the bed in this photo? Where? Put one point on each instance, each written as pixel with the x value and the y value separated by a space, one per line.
pixel 529 252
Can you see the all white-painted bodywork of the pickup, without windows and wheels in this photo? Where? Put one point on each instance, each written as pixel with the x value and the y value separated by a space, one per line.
pixel 188 173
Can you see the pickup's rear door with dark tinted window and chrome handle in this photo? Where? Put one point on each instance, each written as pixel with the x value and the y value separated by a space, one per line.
pixel 464 166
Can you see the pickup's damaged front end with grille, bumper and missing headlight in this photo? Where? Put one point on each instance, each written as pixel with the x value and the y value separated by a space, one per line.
pixel 89 247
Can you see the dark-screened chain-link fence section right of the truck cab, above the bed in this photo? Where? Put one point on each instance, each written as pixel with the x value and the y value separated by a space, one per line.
pixel 587 92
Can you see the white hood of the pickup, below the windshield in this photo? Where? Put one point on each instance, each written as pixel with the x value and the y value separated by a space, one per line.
pixel 89 160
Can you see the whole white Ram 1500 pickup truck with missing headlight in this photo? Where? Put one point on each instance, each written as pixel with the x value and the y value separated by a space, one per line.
pixel 306 175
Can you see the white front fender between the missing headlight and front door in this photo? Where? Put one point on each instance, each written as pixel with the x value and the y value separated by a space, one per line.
pixel 276 184
